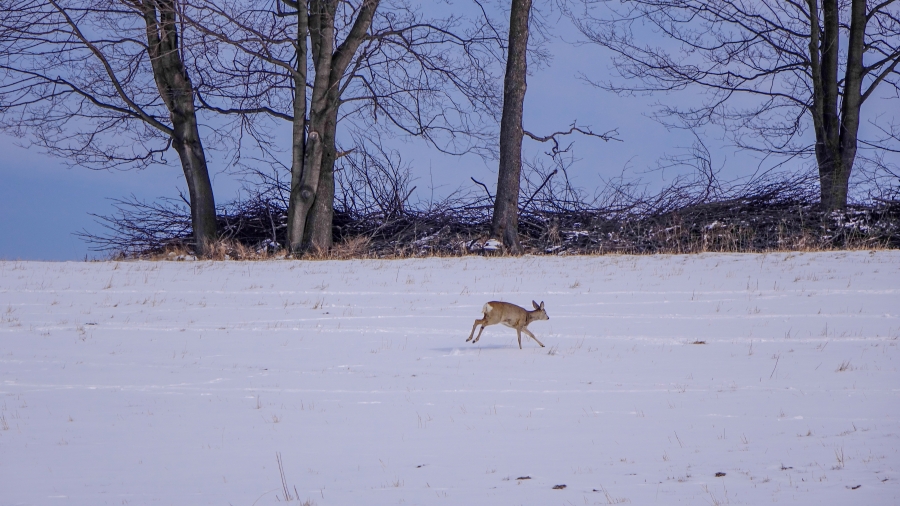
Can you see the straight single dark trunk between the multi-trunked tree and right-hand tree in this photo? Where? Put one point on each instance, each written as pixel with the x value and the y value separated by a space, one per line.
pixel 505 222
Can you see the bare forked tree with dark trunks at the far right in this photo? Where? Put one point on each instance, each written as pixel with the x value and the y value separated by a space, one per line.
pixel 794 62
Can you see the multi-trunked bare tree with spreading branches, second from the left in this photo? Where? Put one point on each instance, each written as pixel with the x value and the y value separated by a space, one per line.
pixel 379 65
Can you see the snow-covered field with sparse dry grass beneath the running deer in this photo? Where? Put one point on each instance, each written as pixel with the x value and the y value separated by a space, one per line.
pixel 181 382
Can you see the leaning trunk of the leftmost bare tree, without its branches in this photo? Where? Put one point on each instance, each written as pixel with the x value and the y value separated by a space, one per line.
pixel 177 92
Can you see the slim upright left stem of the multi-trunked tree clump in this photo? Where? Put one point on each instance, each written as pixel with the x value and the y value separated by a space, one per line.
pixel 298 139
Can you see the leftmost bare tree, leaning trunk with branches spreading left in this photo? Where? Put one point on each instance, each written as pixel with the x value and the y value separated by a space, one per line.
pixel 103 84
